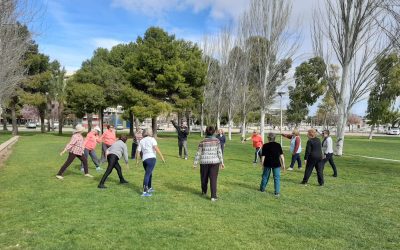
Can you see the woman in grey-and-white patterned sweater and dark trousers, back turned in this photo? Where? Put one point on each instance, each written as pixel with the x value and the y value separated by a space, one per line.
pixel 209 154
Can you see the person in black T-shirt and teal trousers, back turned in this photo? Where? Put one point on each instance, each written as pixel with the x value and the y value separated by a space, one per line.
pixel 272 159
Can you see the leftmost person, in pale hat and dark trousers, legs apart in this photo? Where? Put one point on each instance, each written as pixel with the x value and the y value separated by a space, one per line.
pixel 75 149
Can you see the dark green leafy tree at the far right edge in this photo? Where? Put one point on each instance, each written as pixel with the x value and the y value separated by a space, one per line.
pixel 385 91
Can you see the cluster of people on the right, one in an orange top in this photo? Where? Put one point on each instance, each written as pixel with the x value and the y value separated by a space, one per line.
pixel 271 156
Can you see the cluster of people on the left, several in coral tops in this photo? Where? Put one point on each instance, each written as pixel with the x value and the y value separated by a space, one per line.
pixel 112 151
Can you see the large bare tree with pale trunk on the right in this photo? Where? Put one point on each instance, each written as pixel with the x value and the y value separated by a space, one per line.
pixel 352 30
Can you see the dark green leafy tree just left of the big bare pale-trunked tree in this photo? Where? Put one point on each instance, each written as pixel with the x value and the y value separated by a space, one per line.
pixel 310 85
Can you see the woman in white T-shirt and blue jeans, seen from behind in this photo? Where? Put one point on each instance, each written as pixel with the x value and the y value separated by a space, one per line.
pixel 148 147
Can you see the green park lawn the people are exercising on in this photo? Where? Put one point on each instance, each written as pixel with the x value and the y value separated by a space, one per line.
pixel 360 209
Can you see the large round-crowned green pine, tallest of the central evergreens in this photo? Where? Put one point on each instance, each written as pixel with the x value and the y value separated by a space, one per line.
pixel 165 69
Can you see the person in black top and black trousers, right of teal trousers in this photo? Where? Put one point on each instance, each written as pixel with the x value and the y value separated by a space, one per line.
pixel 313 158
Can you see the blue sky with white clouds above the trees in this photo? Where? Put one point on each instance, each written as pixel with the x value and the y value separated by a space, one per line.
pixel 70 30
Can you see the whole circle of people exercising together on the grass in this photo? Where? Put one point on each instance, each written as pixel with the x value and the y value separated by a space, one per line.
pixel 209 155
